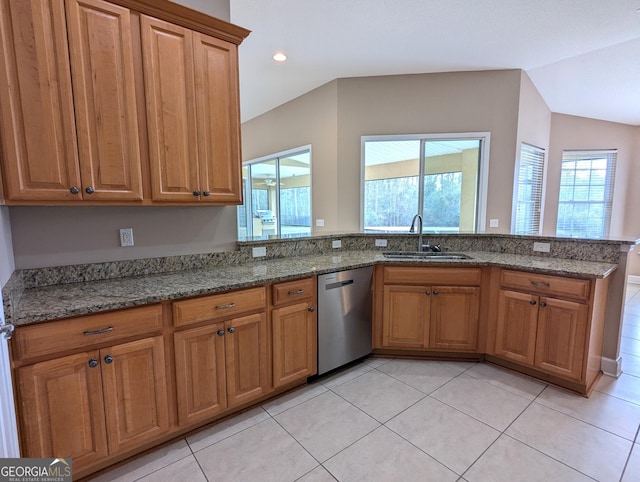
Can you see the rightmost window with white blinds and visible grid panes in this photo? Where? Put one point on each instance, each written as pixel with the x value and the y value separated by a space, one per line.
pixel 586 193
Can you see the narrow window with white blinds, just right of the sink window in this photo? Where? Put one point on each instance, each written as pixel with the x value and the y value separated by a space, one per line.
pixel 528 193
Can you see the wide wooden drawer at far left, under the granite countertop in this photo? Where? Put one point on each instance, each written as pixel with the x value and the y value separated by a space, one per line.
pixel 86 331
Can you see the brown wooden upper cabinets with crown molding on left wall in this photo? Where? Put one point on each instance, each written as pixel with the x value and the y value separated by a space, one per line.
pixel 74 81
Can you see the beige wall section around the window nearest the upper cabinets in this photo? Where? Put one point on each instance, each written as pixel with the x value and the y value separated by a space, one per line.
pixel 308 120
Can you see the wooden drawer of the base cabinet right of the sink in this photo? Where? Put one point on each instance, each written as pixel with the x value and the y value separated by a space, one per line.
pixel 573 288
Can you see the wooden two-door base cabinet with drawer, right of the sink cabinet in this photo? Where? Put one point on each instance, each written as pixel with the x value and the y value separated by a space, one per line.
pixel 553 324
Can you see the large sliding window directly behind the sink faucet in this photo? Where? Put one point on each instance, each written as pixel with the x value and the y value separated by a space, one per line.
pixel 438 177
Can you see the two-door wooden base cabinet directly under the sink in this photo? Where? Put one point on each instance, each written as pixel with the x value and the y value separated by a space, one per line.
pixel 428 308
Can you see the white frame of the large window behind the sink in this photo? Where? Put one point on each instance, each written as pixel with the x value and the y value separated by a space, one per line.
pixel 483 171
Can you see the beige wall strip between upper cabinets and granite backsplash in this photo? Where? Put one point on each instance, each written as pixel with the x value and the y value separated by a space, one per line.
pixel 54 236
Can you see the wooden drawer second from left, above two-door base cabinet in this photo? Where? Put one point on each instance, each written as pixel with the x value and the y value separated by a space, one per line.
pixel 219 306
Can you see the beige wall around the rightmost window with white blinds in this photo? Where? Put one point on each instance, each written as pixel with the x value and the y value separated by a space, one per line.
pixel 571 132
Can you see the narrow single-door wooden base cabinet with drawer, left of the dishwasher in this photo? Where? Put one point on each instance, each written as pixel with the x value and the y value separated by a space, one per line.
pixel 295 331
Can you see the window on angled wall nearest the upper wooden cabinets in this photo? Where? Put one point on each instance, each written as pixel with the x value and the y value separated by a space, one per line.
pixel 277 195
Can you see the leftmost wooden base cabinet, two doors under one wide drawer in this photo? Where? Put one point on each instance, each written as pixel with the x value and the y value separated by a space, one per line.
pixel 96 402
